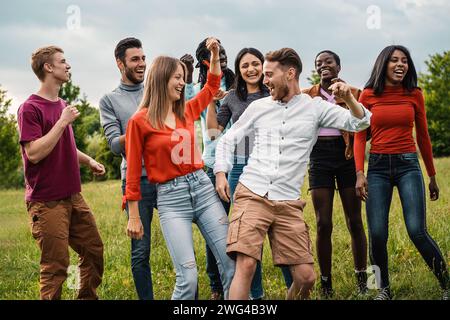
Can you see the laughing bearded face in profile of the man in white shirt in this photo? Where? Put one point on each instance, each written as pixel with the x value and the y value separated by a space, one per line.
pixel 275 78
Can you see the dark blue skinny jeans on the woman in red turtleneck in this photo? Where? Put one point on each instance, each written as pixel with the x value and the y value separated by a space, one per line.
pixel 403 171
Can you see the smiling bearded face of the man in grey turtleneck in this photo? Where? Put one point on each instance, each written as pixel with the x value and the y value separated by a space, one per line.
pixel 133 67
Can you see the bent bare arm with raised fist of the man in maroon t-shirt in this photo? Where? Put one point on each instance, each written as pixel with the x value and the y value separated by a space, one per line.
pixel 39 149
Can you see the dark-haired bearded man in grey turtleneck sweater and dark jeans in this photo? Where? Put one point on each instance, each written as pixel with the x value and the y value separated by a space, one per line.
pixel 116 108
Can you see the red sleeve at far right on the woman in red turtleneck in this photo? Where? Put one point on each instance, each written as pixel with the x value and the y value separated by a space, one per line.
pixel 422 136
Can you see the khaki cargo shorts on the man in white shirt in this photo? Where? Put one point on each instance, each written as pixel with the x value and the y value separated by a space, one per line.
pixel 254 216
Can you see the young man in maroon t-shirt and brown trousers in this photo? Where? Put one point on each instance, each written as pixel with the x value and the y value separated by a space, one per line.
pixel 59 215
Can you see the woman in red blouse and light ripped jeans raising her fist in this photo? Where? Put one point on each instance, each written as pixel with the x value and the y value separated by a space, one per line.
pixel 162 133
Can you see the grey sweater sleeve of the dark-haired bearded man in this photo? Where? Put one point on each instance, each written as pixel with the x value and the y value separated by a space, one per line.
pixel 111 126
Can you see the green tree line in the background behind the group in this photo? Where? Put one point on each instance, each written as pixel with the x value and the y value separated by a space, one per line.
pixel 91 140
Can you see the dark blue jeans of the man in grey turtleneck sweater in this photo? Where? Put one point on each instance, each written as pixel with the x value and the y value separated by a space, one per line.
pixel 140 249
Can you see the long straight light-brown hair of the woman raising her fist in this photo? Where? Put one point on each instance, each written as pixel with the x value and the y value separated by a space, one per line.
pixel 156 95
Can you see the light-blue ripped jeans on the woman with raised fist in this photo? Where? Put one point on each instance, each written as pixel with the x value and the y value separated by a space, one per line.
pixel 192 199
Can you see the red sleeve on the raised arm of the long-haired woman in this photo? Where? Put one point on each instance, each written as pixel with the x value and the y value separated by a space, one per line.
pixel 196 105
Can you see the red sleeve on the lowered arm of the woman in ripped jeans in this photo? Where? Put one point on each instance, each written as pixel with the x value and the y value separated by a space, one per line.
pixel 134 147
